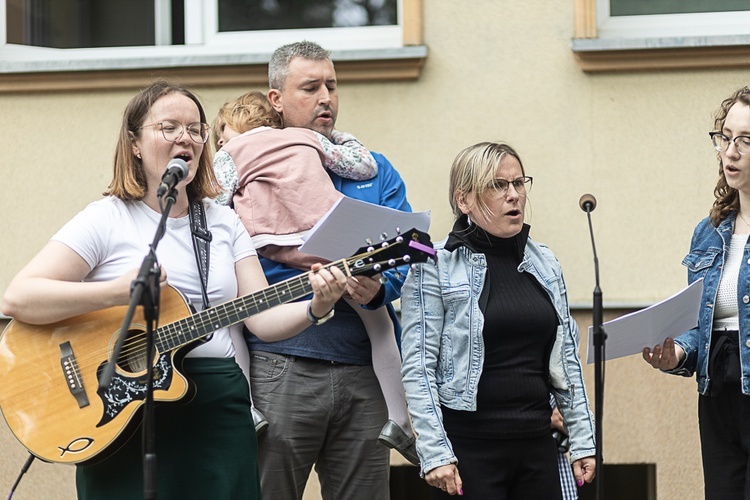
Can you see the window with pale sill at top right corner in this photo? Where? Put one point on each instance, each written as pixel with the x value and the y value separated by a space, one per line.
pixel 616 35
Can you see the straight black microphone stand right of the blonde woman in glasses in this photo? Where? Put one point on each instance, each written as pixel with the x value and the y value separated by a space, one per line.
pixel 599 348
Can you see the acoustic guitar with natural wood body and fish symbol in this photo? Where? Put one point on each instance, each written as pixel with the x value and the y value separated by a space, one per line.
pixel 49 374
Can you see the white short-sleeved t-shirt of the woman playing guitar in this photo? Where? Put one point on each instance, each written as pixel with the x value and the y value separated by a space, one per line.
pixel 113 237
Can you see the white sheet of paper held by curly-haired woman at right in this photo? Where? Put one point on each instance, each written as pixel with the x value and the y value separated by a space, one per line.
pixel 648 327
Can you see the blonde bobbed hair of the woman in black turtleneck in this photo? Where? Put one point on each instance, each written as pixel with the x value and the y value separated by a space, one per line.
pixel 473 172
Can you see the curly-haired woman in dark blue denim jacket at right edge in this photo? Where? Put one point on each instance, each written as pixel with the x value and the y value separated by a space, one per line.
pixel 717 351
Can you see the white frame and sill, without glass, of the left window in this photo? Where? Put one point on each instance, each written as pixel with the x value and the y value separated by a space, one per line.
pixel 212 58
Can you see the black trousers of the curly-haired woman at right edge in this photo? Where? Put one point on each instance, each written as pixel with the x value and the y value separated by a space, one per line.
pixel 724 420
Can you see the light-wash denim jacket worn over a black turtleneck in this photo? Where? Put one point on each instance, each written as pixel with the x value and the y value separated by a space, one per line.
pixel 443 348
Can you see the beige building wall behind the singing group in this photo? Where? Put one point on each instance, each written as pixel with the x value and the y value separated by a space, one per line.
pixel 495 70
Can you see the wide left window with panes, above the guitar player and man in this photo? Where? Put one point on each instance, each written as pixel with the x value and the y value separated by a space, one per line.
pixel 95 35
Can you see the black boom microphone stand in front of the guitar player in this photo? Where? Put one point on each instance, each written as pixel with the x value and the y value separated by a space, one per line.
pixel 145 290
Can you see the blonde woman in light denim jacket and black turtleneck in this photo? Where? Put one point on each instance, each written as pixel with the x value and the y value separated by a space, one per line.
pixel 487 336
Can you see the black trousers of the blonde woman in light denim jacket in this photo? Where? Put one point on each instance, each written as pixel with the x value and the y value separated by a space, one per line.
pixel 506 469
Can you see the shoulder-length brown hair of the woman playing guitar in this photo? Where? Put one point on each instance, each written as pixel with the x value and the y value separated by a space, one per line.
pixel 129 181
